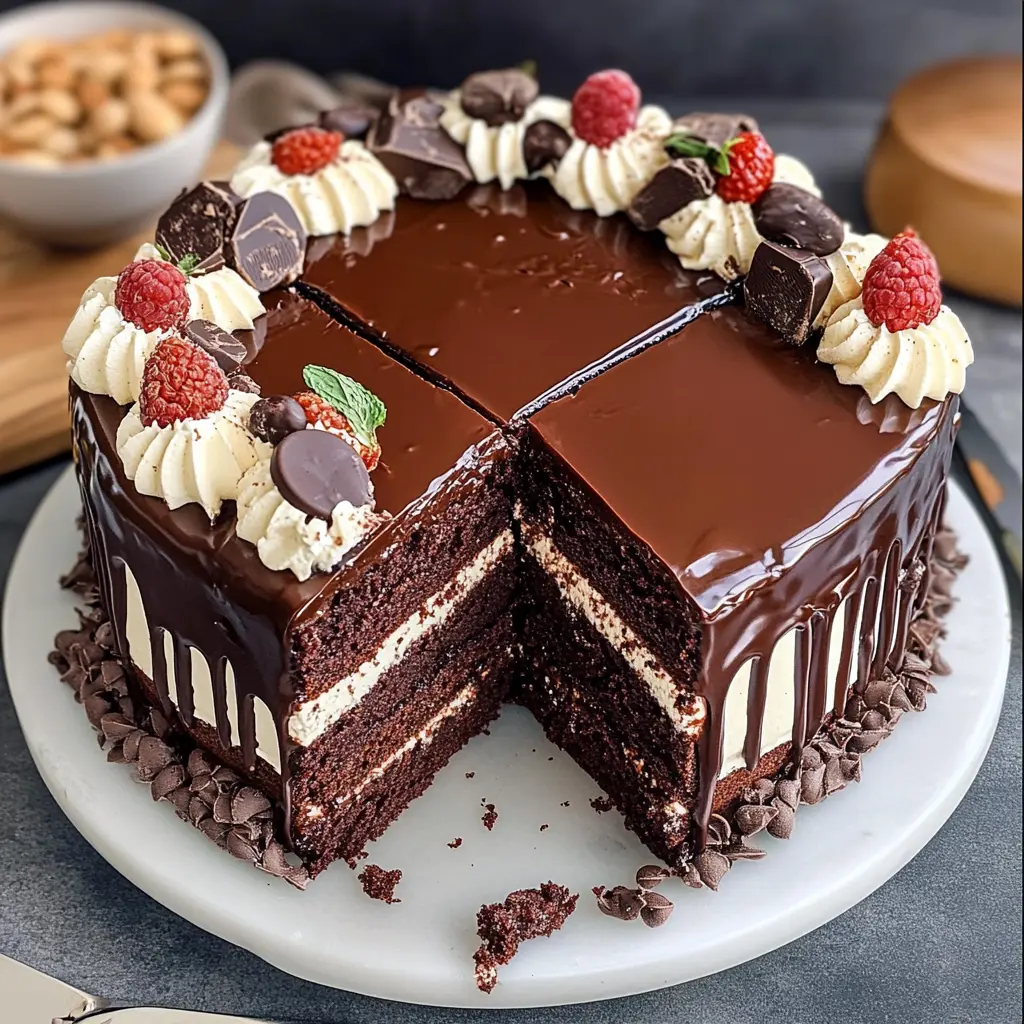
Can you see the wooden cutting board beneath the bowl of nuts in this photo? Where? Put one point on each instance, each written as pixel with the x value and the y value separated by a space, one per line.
pixel 39 291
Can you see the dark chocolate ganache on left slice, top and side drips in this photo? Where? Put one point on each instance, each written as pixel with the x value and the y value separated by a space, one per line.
pixel 208 590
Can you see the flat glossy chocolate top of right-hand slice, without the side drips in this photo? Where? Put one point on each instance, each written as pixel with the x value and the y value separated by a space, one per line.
pixel 729 452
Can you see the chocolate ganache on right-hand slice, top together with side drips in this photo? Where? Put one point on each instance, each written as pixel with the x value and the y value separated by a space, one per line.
pixel 779 495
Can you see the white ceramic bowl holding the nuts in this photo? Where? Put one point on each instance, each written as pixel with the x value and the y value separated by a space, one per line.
pixel 94 203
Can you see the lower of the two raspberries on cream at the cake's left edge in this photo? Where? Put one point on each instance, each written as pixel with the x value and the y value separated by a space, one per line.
pixel 181 382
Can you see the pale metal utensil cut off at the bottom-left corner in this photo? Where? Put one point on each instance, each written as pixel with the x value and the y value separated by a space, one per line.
pixel 29 997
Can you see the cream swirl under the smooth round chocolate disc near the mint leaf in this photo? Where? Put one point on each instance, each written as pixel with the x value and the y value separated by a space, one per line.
pixel 286 538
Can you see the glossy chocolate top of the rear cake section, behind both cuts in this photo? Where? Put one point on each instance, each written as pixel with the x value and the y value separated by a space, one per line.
pixel 500 296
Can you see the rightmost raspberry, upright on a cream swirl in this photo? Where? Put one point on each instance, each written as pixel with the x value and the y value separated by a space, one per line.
pixel 902 286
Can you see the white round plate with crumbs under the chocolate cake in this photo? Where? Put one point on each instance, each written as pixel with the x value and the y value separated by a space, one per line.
pixel 420 950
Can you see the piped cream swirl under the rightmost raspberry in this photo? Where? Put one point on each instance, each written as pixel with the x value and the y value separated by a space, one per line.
pixel 927 362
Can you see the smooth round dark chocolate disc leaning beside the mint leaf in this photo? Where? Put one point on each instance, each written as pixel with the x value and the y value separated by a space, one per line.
pixel 315 471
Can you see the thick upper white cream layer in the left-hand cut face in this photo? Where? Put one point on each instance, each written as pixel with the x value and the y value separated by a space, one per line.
pixel 314 718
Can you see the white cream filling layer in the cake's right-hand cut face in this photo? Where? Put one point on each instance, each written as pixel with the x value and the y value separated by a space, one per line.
pixel 581 595
